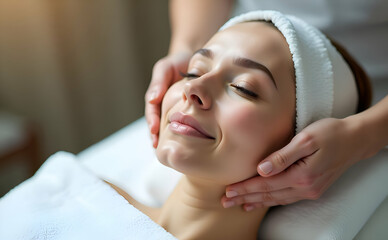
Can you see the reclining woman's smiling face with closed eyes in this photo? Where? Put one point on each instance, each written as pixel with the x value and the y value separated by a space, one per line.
pixel 235 107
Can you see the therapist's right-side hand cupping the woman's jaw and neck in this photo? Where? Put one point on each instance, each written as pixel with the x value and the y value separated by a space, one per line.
pixel 303 169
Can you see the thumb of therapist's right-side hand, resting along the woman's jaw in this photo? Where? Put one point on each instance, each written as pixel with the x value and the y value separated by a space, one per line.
pixel 302 145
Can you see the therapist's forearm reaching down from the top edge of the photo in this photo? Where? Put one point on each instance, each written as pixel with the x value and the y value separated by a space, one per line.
pixel 193 22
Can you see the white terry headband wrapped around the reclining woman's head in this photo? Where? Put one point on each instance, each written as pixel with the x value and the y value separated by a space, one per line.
pixel 325 85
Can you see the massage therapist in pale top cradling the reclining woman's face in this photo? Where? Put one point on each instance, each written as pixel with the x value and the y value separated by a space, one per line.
pixel 360 25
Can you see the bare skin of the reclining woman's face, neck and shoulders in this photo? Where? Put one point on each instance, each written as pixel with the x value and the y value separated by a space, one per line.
pixel 236 121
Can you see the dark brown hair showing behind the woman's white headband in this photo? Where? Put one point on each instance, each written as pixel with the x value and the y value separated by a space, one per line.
pixel 362 80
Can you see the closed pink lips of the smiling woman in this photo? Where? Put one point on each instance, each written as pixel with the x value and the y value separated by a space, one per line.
pixel 185 124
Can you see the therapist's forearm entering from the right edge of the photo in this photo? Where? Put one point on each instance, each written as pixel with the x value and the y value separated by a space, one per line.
pixel 372 128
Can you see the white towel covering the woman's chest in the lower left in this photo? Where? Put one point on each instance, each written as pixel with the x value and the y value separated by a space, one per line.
pixel 64 200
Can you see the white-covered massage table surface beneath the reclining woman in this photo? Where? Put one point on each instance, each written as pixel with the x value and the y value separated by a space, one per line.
pixel 355 207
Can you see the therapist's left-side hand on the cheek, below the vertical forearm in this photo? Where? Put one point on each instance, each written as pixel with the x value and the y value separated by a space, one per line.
pixel 164 74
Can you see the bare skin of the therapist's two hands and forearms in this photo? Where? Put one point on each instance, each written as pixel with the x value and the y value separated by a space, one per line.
pixel 309 171
